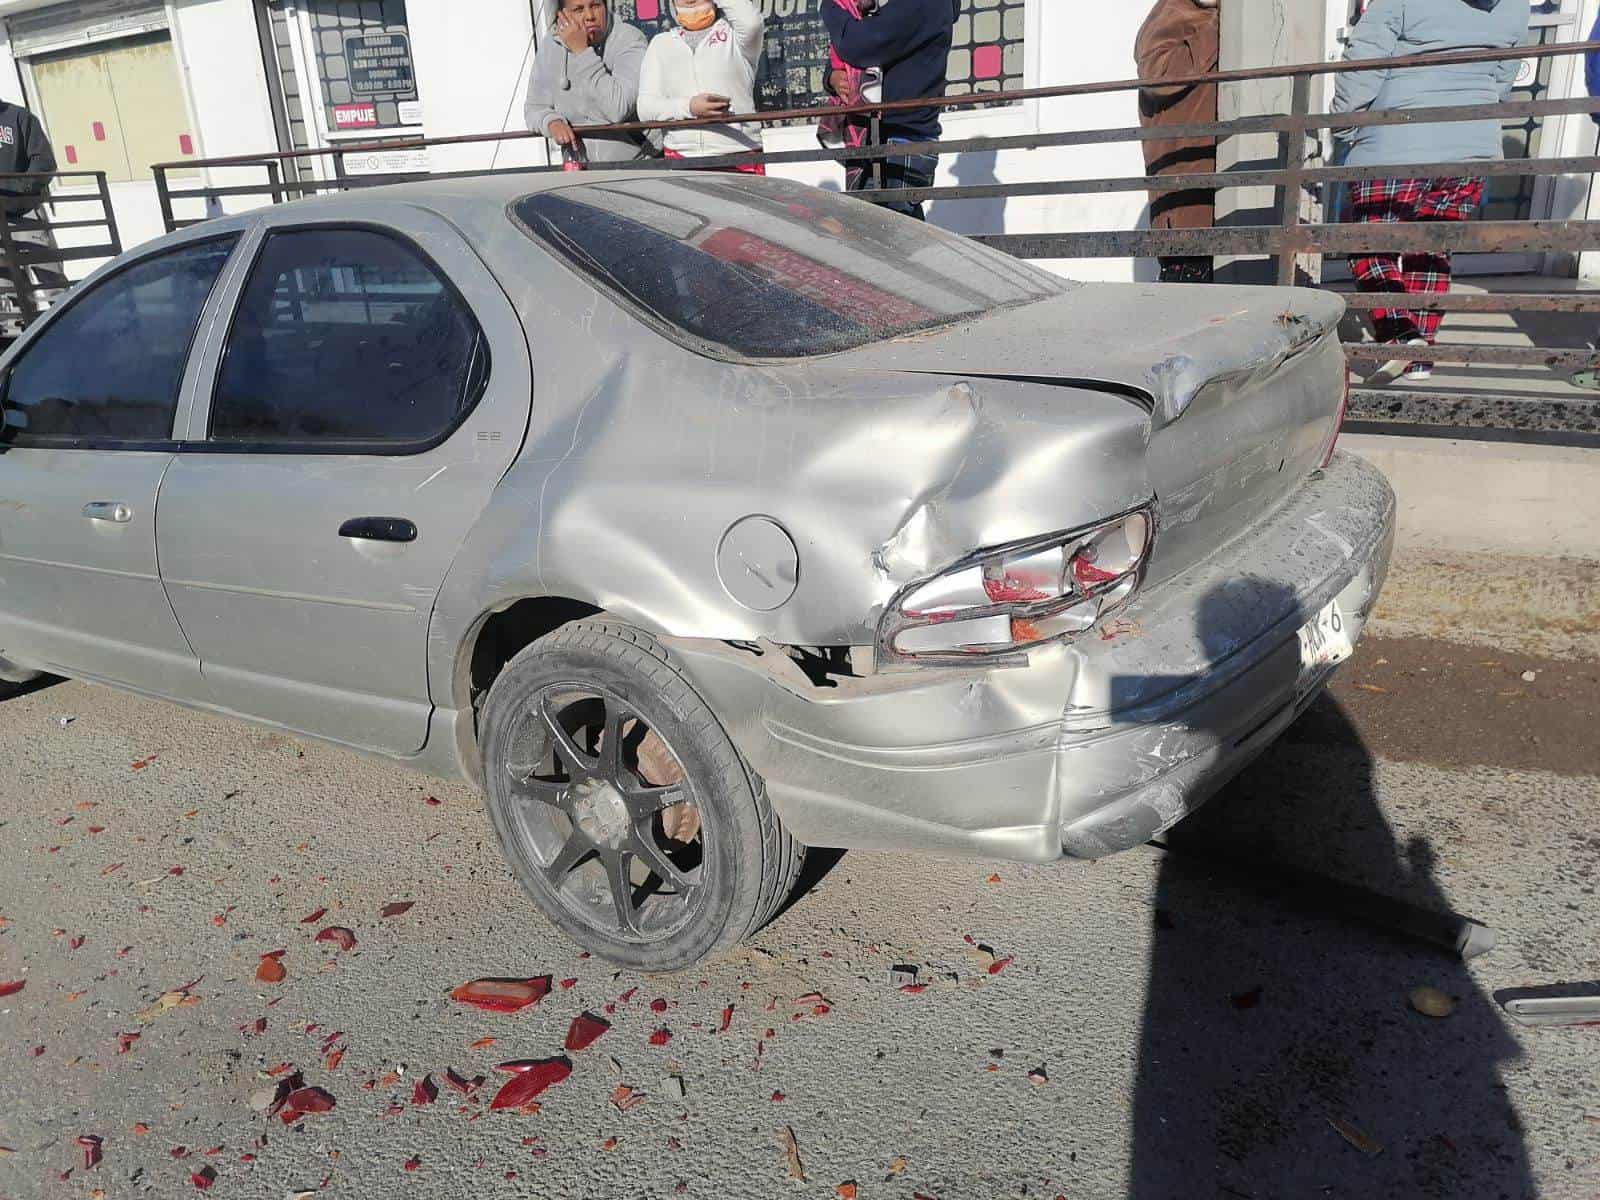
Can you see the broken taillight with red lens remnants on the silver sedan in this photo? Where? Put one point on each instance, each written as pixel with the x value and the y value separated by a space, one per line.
pixel 1001 602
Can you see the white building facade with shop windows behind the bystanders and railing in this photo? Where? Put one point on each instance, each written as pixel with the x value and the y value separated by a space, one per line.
pixel 124 84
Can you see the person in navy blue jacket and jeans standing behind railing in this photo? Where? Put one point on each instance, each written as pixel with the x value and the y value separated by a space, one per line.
pixel 910 42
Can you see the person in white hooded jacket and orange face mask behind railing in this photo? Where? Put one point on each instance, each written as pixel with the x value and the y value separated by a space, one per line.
pixel 705 68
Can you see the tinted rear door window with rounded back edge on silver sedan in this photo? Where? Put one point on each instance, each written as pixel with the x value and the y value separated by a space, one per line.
pixel 348 338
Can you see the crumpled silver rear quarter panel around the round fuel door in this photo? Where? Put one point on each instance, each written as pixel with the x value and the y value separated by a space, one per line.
pixel 642 455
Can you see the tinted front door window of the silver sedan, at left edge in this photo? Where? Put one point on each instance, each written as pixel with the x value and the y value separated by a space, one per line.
pixel 111 367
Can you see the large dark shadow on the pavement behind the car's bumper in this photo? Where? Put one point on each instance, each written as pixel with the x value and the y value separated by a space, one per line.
pixel 1279 1055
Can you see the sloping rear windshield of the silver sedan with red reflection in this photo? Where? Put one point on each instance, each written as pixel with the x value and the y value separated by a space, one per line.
pixel 772 270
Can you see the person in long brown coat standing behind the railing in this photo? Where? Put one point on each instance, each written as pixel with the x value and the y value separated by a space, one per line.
pixel 1180 38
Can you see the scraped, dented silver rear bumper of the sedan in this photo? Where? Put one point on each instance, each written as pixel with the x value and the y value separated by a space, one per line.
pixel 1092 750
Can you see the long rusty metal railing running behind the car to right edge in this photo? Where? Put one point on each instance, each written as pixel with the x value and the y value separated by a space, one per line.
pixel 1562 415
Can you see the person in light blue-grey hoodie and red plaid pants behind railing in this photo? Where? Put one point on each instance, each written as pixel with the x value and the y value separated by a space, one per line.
pixel 1398 30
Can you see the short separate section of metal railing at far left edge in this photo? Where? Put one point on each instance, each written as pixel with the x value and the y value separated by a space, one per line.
pixel 31 257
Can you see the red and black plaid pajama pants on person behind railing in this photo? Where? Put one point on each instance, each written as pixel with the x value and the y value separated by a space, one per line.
pixel 1425 274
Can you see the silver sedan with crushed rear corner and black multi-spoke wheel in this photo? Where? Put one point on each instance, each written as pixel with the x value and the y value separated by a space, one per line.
pixel 700 519
